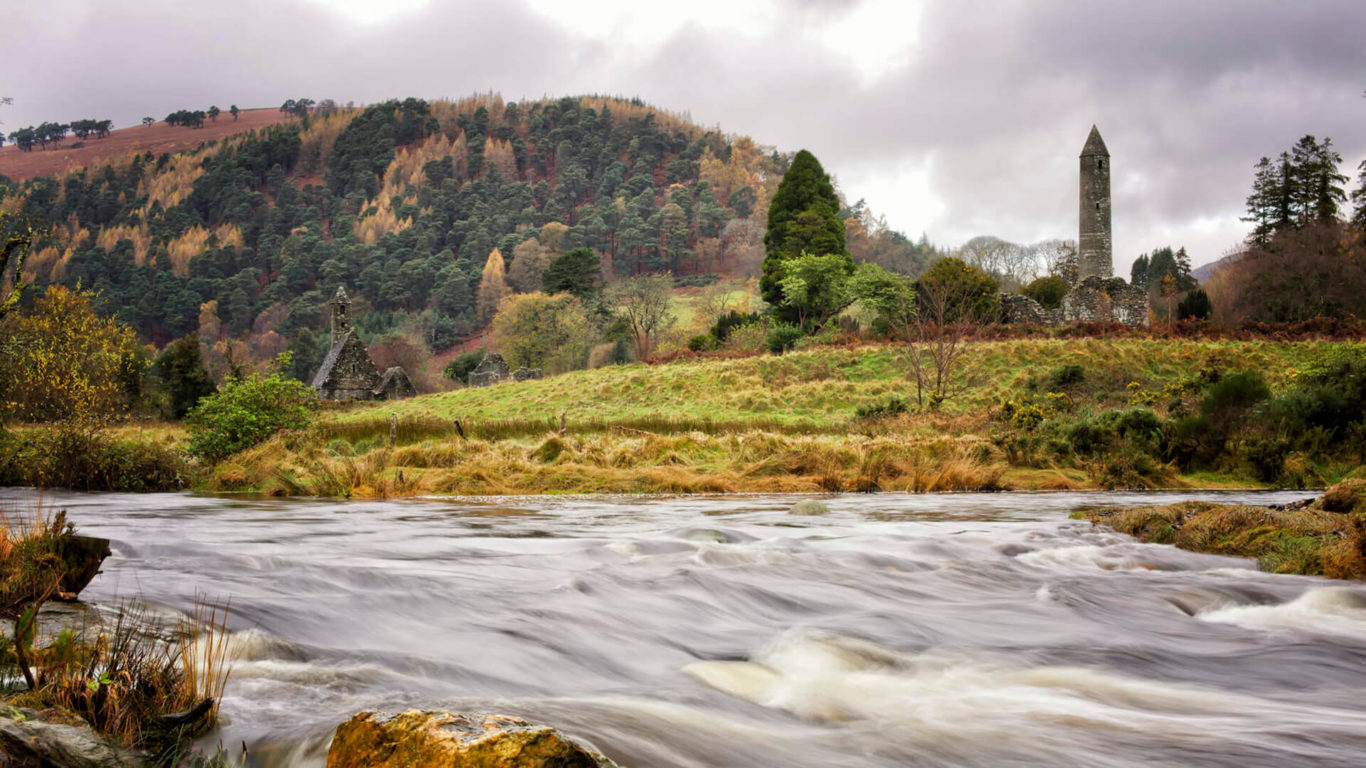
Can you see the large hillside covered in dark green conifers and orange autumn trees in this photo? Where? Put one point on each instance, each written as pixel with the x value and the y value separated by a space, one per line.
pixel 404 203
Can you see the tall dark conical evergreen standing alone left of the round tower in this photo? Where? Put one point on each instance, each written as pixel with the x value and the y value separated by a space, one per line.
pixel 804 218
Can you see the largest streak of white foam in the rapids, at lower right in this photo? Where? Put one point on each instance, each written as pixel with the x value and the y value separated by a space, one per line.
pixel 958 699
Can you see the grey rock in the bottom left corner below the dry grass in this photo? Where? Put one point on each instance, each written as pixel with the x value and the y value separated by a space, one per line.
pixel 29 743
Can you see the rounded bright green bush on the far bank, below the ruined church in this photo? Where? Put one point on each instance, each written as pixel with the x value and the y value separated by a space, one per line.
pixel 248 412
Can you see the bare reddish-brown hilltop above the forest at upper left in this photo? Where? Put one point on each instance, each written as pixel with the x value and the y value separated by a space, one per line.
pixel 158 139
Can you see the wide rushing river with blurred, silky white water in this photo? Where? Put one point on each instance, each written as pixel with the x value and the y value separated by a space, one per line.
pixel 984 631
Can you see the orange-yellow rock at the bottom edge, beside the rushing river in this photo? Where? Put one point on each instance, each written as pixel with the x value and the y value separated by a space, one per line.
pixel 447 740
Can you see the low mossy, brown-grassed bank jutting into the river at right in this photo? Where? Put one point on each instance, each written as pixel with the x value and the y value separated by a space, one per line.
pixel 1324 536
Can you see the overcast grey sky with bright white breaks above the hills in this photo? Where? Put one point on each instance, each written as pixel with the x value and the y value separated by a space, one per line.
pixel 951 118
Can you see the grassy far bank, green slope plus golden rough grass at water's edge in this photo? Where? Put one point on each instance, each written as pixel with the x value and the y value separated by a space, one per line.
pixel 762 424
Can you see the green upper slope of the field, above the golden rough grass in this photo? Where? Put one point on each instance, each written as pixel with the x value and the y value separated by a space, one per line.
pixel 822 387
